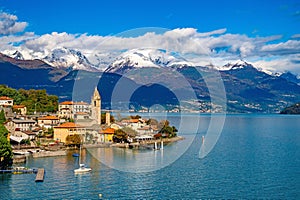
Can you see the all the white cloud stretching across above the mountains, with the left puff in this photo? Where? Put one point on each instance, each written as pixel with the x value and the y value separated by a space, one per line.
pixel 215 46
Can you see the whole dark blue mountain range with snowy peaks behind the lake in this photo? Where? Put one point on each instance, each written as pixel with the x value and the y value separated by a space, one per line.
pixel 248 89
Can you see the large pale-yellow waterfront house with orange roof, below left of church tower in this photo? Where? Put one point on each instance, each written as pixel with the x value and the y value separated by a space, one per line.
pixel 69 128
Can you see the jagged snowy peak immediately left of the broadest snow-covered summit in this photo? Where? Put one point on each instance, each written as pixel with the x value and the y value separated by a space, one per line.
pixel 69 58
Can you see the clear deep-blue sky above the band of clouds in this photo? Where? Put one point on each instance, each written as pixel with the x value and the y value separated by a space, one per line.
pixel 253 18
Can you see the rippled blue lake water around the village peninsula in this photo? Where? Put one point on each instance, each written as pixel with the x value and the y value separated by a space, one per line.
pixel 256 156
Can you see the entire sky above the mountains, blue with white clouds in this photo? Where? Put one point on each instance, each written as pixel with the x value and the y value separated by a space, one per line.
pixel 266 33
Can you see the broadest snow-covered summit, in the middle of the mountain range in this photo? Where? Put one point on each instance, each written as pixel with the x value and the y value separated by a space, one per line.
pixel 142 58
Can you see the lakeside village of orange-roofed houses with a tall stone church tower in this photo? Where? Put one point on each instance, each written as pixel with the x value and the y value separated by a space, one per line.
pixel 75 124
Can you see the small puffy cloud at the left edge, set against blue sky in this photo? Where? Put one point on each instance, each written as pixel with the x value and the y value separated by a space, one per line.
pixel 9 24
